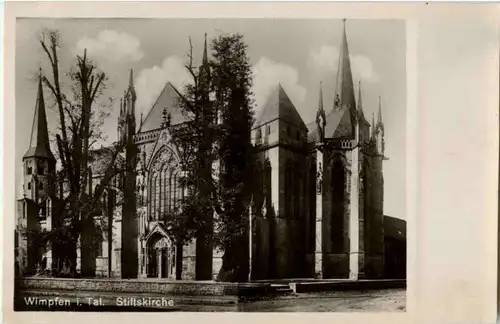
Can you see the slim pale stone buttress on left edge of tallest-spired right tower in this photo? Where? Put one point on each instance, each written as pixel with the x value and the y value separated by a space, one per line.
pixel 318 254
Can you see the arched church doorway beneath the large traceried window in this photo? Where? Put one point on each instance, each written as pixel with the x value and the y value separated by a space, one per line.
pixel 160 257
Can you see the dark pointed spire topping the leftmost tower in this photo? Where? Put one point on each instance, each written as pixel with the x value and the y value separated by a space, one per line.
pixel 39 141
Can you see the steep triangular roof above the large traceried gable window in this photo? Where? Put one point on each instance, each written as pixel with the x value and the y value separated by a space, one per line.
pixel 170 99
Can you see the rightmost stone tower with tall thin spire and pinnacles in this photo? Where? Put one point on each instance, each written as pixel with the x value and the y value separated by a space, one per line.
pixel 348 201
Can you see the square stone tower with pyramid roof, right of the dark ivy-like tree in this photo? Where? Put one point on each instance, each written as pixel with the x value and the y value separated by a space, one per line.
pixel 280 136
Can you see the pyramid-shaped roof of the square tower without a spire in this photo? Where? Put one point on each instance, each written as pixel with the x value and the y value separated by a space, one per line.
pixel 279 106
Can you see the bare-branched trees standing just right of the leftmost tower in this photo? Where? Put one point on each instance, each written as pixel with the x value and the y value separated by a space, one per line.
pixel 77 109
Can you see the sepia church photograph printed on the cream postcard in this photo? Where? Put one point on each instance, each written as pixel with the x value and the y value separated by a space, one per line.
pixel 210 165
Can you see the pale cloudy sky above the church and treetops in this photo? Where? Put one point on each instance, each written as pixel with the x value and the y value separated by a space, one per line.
pixel 297 53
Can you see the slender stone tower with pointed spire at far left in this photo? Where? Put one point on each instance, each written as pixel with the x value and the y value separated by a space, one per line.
pixel 34 210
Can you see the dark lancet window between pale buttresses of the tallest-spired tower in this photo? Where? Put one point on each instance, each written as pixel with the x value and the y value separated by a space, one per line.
pixel 338 185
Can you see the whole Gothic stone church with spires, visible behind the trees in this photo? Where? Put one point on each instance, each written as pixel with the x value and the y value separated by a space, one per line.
pixel 317 208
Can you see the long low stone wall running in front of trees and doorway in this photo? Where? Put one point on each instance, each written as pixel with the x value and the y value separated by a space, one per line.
pixel 186 288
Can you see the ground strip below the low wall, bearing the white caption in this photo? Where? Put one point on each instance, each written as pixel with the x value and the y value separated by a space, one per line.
pixel 386 300
